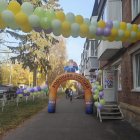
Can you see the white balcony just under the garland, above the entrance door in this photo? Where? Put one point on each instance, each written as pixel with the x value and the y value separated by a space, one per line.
pixel 108 49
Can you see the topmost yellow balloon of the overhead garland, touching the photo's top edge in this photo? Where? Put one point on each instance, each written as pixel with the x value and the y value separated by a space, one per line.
pixel 14 6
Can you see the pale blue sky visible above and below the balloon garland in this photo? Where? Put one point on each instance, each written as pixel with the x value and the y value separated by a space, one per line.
pixel 77 7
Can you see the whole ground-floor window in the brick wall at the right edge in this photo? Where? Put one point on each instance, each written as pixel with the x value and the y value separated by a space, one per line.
pixel 136 70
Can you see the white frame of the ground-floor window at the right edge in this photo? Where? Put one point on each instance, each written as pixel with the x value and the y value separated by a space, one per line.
pixel 134 72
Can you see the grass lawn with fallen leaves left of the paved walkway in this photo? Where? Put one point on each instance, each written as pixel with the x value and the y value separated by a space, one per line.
pixel 12 115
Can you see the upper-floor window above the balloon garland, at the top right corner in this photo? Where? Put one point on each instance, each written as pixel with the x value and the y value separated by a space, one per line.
pixel 135 8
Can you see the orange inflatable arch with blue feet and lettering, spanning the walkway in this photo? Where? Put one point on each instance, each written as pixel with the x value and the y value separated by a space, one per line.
pixel 71 76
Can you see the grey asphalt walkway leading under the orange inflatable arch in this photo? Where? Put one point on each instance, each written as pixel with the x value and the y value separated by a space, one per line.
pixel 71 123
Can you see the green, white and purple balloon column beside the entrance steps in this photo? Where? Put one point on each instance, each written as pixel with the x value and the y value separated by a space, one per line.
pixel 98 93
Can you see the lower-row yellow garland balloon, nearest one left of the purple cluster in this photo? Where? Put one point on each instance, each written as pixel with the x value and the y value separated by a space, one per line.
pixel 84 30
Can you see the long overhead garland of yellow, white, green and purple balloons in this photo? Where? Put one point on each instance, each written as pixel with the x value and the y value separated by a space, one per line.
pixel 28 18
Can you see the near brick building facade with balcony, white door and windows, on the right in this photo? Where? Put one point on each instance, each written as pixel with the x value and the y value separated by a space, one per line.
pixel 119 61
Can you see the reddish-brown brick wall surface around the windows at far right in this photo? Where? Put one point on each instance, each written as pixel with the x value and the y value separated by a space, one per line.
pixel 129 100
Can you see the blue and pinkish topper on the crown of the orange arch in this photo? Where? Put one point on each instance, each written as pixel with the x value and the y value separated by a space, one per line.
pixel 71 67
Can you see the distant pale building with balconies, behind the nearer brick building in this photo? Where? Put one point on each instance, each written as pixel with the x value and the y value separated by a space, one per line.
pixel 89 61
